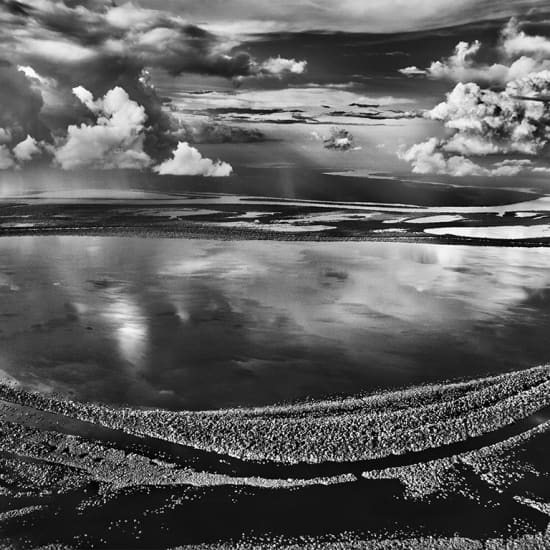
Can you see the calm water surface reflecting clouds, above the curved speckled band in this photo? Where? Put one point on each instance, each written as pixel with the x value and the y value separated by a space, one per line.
pixel 204 324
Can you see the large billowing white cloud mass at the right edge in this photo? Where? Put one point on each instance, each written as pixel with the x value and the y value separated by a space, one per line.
pixel 480 121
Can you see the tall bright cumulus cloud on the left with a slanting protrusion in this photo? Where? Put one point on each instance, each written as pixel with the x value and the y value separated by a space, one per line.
pixel 114 140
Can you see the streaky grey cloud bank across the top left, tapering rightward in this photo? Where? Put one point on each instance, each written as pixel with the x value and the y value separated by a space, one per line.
pixel 57 33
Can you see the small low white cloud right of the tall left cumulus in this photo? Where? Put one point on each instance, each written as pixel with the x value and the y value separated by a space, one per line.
pixel 187 161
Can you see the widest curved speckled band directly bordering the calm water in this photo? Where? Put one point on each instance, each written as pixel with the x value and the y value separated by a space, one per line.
pixel 353 429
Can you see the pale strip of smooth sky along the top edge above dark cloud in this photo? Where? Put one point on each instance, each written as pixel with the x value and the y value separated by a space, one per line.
pixel 372 16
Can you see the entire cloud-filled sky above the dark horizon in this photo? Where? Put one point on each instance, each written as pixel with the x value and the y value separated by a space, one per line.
pixel 457 88
